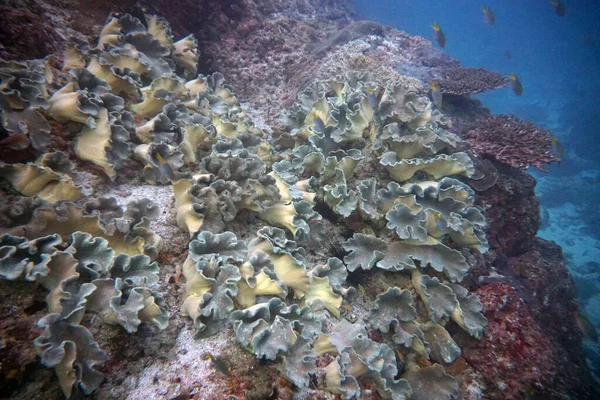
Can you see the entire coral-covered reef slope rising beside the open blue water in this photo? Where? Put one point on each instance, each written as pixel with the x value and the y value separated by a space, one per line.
pixel 356 247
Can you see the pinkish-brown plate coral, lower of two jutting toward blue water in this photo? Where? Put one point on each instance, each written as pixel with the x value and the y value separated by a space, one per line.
pixel 512 141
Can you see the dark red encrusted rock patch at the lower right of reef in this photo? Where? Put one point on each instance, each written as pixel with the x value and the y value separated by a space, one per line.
pixel 514 358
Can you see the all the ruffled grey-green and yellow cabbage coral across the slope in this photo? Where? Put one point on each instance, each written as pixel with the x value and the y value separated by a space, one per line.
pixel 379 158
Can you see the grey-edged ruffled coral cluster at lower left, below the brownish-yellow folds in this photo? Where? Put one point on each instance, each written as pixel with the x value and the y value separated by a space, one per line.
pixel 84 278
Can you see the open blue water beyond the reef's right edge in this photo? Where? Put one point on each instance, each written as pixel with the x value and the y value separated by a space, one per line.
pixel 557 61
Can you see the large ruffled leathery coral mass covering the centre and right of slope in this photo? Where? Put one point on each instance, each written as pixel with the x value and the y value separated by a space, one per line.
pixel 283 307
